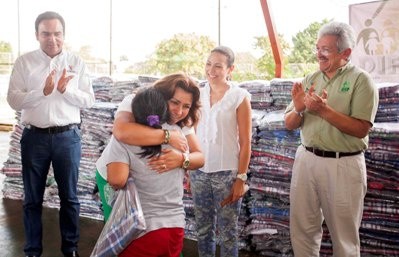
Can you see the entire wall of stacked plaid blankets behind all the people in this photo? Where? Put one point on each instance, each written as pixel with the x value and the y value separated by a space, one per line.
pixel 264 219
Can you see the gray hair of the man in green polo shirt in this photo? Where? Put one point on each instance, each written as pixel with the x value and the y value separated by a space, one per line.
pixel 344 33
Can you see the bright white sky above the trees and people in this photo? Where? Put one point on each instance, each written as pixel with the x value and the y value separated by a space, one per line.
pixel 138 26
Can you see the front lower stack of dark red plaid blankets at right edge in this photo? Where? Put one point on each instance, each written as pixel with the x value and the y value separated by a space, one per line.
pixel 379 231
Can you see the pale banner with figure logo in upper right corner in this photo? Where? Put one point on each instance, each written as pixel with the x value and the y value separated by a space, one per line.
pixel 377 44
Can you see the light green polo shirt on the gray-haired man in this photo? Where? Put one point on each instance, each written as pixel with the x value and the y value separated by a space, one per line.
pixel 352 92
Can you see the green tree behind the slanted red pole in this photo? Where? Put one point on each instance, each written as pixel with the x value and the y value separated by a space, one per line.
pixel 266 64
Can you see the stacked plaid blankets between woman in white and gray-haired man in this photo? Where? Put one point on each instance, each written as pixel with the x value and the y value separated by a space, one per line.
pixel 273 152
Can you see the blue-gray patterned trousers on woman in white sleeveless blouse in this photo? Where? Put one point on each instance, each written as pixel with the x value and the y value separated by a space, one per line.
pixel 209 190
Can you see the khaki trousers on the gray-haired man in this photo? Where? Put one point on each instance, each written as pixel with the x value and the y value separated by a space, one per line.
pixel 327 188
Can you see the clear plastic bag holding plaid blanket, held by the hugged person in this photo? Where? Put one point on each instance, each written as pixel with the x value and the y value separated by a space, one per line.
pixel 125 223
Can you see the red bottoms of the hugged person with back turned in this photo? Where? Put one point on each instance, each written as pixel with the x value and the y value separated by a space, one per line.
pixel 165 242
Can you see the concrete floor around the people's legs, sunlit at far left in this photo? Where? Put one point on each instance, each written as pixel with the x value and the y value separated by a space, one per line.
pixel 12 230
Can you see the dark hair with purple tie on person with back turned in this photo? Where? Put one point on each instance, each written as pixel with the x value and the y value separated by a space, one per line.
pixel 150 108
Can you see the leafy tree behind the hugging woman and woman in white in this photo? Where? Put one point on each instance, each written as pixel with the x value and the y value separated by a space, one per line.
pixel 182 52
